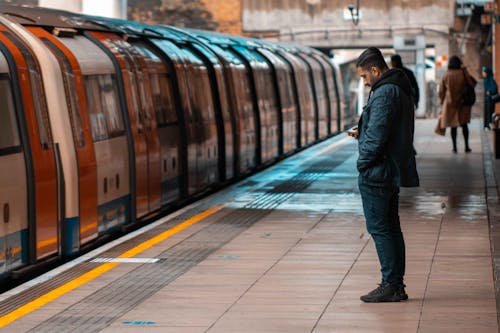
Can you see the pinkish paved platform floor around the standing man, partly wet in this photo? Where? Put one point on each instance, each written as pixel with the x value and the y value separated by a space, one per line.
pixel 302 267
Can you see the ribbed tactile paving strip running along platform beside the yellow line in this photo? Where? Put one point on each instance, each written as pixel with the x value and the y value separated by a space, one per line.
pixel 103 307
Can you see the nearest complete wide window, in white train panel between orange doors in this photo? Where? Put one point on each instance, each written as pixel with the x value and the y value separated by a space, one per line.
pixel 102 99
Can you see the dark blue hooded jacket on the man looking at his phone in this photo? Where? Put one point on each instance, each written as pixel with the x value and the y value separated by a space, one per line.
pixel 386 128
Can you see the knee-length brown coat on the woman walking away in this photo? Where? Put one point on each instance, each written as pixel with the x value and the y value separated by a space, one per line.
pixel 453 114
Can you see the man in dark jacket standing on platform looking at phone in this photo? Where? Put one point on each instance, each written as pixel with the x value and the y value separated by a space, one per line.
pixel 386 161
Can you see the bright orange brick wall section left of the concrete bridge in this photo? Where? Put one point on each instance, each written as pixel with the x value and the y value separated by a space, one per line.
pixel 227 13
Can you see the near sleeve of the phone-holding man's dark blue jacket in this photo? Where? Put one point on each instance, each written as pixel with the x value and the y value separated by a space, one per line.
pixel 376 132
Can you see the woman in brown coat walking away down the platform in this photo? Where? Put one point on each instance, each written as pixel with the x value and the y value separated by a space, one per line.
pixel 453 113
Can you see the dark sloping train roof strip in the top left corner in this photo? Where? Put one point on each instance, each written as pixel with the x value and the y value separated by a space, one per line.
pixel 47 17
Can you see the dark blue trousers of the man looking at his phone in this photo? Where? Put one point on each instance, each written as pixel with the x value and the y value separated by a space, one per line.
pixel 381 208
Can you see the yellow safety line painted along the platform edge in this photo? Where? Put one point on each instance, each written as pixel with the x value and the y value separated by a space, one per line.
pixel 98 271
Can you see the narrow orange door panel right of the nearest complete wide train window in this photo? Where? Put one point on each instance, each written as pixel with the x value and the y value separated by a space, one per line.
pixel 139 180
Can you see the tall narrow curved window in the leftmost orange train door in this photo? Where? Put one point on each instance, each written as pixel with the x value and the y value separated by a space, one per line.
pixel 37 93
